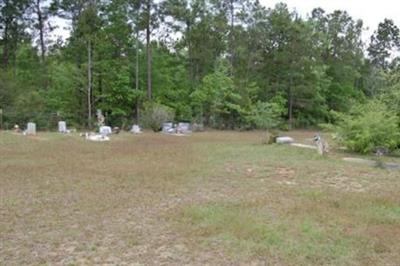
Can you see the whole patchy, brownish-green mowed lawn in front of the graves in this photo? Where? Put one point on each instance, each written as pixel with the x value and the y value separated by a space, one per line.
pixel 215 198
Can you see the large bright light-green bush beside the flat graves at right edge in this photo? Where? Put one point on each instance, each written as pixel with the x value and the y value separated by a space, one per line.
pixel 369 126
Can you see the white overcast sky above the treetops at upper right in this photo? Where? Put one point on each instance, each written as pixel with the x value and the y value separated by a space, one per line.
pixel 371 12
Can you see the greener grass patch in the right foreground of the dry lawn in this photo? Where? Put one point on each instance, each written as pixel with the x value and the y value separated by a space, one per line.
pixel 254 232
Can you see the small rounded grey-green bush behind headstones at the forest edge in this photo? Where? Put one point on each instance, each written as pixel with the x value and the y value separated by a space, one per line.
pixel 155 115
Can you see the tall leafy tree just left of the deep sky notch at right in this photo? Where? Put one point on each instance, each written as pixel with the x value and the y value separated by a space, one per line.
pixel 341 51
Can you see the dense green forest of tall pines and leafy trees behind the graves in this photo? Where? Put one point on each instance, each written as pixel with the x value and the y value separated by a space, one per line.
pixel 227 64
